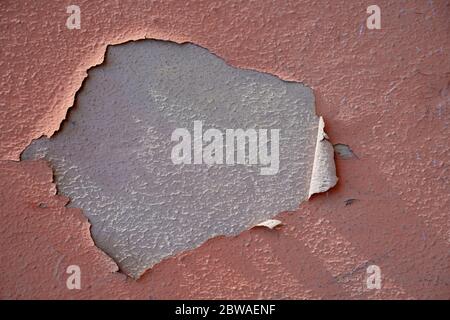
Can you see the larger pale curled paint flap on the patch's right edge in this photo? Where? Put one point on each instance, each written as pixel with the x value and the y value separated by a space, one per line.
pixel 323 175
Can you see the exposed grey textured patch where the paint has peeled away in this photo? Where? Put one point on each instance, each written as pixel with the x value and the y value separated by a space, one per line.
pixel 112 157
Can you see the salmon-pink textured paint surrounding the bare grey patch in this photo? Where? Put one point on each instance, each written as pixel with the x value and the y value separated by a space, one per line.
pixel 384 93
